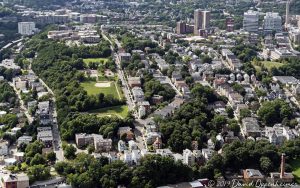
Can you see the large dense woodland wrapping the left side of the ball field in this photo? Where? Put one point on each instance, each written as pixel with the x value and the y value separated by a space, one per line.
pixel 58 66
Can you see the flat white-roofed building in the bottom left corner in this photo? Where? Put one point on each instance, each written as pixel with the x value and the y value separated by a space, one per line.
pixel 14 180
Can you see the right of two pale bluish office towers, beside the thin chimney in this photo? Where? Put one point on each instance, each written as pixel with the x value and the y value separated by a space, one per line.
pixel 272 22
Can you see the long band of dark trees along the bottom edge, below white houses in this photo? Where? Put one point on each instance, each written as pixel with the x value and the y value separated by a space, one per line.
pixel 86 171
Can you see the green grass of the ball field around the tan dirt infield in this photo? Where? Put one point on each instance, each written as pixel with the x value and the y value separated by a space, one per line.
pixel 113 90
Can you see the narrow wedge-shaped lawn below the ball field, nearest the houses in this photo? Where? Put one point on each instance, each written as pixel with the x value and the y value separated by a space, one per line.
pixel 120 111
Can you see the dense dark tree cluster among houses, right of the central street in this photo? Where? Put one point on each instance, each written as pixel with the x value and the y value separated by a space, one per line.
pixel 193 121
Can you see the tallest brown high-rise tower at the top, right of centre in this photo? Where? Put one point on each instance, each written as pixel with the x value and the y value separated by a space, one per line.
pixel 201 19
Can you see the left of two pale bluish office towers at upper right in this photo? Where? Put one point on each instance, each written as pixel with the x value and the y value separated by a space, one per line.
pixel 250 21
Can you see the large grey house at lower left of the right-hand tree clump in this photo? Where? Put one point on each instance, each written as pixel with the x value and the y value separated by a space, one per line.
pixel 250 127
